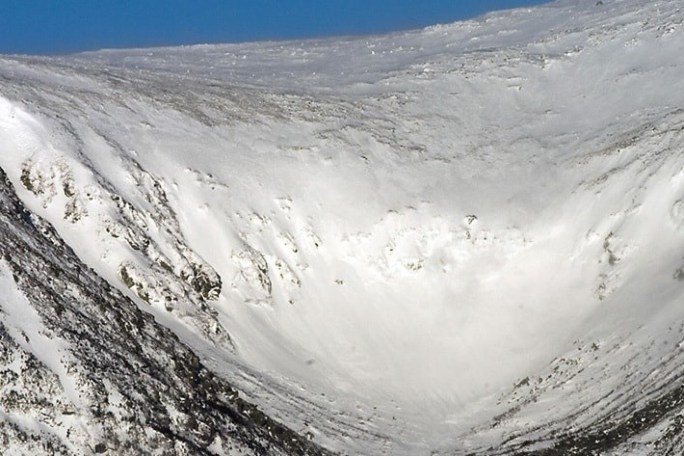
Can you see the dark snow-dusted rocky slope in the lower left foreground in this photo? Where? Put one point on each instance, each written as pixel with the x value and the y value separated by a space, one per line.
pixel 127 386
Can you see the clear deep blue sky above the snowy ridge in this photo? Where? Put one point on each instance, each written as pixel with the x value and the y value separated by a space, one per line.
pixel 63 26
